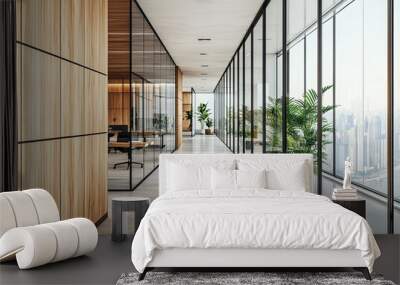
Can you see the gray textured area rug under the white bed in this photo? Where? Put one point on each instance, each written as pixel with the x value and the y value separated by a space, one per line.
pixel 228 278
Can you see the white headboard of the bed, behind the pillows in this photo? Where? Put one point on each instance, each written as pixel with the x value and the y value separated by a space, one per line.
pixel 210 159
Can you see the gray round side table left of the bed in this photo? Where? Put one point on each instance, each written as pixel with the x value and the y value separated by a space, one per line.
pixel 139 205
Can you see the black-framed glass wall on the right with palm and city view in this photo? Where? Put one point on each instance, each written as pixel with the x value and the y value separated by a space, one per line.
pixel 299 53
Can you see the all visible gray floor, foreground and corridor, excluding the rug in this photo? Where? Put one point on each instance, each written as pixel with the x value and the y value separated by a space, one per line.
pixel 110 259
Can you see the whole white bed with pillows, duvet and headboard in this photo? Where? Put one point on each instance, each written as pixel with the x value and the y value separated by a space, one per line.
pixel 200 226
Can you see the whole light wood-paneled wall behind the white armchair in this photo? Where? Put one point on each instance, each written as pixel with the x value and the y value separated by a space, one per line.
pixel 62 102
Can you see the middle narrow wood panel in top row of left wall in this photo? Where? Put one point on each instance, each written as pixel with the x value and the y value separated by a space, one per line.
pixel 72 30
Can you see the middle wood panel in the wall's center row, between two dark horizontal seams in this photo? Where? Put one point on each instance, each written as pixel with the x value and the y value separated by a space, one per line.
pixel 72 99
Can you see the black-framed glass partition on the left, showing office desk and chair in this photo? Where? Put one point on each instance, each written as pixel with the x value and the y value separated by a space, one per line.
pixel 141 104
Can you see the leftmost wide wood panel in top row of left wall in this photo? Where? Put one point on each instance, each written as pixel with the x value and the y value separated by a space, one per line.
pixel 41 24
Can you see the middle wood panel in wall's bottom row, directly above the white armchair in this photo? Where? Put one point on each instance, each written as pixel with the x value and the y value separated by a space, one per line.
pixel 72 177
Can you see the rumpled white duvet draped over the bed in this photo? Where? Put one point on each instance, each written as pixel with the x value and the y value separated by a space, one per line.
pixel 253 218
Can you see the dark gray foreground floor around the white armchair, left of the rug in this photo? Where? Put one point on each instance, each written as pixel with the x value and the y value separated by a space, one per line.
pixel 102 266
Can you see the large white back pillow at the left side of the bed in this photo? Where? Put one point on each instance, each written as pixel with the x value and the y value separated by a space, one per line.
pixel 182 177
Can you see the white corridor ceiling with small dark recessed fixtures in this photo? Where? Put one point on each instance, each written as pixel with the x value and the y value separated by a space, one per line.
pixel 179 24
